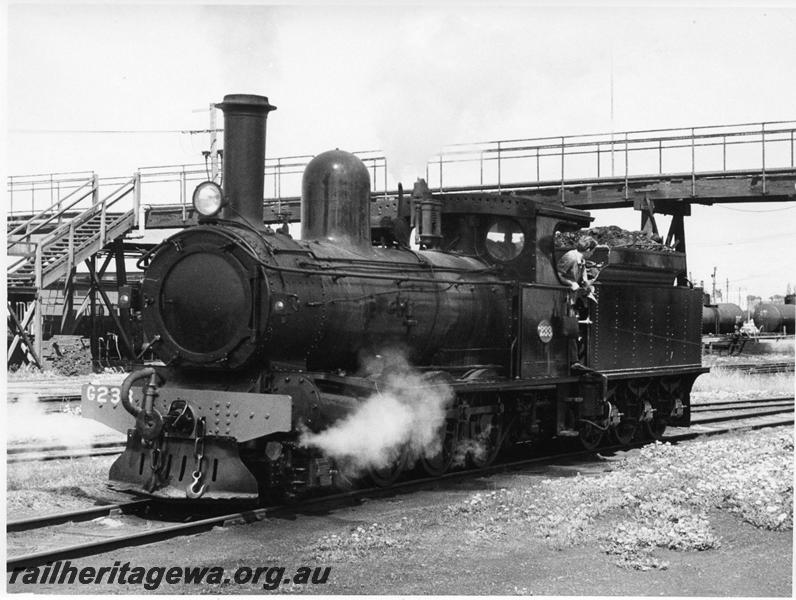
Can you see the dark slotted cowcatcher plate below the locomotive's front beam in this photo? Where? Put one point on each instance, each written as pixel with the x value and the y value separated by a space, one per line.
pixel 168 472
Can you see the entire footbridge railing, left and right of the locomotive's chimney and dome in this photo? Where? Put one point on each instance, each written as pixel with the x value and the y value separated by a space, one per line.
pixel 553 161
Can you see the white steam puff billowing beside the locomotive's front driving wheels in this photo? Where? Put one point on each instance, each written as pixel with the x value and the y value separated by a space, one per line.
pixel 406 413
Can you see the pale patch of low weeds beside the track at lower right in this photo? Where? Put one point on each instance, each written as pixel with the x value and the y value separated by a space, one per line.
pixel 659 498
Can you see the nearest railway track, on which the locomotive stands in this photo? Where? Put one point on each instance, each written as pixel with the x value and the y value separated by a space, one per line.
pixel 768 412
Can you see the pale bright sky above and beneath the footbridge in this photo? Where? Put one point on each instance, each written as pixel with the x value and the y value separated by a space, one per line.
pixel 111 88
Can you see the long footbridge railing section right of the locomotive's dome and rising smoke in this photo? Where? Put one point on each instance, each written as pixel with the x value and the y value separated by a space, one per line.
pixel 756 147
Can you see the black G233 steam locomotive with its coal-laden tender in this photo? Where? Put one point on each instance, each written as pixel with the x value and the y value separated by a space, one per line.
pixel 267 341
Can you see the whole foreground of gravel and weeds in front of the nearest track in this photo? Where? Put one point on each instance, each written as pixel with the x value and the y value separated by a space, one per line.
pixel 702 518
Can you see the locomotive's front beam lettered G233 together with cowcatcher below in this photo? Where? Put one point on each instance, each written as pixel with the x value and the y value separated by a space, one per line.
pixel 183 443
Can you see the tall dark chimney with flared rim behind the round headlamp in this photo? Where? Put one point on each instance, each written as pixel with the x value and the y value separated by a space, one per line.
pixel 244 156
